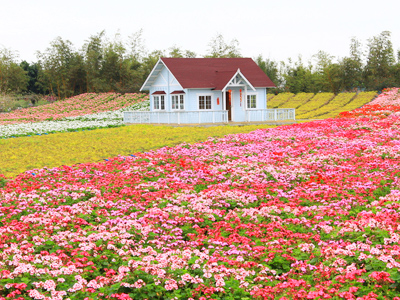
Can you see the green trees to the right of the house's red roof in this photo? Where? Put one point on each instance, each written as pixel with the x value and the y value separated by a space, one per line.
pixel 372 67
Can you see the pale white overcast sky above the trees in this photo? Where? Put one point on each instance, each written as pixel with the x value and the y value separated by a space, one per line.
pixel 275 29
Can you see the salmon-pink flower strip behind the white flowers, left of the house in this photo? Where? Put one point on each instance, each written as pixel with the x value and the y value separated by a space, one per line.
pixel 76 106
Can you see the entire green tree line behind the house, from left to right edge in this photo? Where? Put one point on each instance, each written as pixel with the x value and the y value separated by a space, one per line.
pixel 104 65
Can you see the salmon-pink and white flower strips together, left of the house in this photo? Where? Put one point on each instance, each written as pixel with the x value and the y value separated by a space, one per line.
pixel 86 111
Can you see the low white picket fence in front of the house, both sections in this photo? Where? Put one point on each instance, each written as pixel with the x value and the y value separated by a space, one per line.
pixel 201 117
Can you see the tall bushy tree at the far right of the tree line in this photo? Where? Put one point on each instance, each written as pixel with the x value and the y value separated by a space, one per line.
pixel 380 60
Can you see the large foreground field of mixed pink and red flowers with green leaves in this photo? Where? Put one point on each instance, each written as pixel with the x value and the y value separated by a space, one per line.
pixel 305 211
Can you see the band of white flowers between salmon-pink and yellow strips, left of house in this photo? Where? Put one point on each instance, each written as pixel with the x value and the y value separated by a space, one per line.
pixel 92 121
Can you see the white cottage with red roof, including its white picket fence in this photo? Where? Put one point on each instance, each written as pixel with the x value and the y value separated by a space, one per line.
pixel 207 90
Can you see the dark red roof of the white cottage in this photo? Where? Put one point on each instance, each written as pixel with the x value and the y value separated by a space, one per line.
pixel 215 73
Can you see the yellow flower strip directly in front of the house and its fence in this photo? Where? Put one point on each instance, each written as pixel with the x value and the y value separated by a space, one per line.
pixel 26 153
